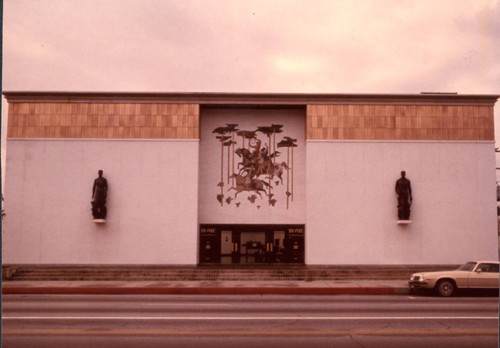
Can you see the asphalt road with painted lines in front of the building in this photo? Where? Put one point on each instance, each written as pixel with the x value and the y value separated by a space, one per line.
pixel 248 321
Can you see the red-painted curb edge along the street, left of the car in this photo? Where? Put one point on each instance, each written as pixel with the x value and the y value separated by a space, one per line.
pixel 205 290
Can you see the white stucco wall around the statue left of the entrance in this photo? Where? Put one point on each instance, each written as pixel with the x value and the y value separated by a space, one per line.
pixel 152 202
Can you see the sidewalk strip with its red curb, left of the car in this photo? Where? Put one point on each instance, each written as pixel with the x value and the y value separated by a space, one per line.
pixel 319 287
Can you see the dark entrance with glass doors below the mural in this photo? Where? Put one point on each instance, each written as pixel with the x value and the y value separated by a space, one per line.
pixel 251 244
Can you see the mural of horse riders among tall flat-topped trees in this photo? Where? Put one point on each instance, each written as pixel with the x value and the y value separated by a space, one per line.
pixel 259 170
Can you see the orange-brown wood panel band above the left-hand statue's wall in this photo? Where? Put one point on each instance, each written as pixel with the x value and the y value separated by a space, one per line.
pixel 103 120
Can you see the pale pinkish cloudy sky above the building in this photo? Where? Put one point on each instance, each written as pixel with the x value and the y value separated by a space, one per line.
pixel 282 46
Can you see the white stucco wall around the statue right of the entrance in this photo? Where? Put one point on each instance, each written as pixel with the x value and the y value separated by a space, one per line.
pixel 351 202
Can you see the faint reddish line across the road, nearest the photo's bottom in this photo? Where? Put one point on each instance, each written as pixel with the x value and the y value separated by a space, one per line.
pixel 247 333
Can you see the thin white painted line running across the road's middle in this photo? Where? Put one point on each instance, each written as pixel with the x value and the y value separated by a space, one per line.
pixel 245 318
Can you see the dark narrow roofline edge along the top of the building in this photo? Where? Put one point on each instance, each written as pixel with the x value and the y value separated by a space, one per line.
pixel 218 98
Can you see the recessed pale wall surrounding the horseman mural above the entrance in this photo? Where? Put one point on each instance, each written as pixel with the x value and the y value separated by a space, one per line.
pixel 240 210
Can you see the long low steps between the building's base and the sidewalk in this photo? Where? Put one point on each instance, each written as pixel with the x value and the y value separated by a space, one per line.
pixel 212 273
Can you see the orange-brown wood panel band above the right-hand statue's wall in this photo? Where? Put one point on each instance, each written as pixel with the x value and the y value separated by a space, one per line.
pixel 400 122
